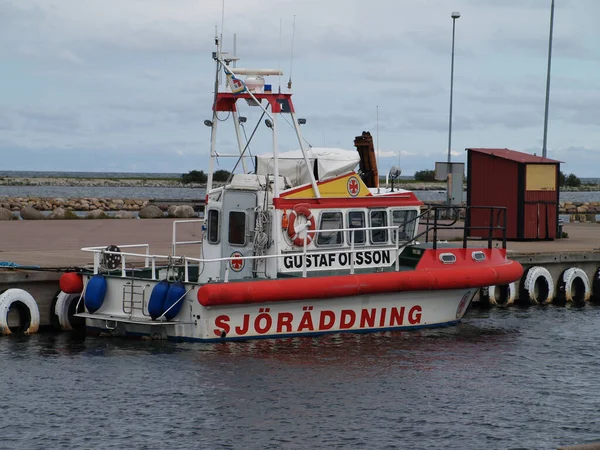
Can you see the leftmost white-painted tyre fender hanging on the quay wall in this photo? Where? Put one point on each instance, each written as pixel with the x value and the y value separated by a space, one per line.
pixel 27 310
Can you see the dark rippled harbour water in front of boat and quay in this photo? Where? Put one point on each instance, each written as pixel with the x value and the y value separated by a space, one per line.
pixel 502 379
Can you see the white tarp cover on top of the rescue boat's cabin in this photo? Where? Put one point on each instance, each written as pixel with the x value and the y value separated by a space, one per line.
pixel 331 162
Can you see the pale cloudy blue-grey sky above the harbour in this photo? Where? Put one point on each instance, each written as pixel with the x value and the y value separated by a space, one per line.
pixel 125 85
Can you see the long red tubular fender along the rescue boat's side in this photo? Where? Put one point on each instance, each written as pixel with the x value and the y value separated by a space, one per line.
pixel 284 290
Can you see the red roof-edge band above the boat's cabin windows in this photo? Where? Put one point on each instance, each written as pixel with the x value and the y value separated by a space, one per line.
pixel 356 202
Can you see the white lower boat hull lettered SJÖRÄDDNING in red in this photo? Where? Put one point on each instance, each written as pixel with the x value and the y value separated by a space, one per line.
pixel 363 313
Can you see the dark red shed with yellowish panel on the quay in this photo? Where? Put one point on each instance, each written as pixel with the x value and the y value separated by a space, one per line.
pixel 527 185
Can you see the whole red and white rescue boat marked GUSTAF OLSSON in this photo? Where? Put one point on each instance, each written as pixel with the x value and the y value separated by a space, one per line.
pixel 298 243
